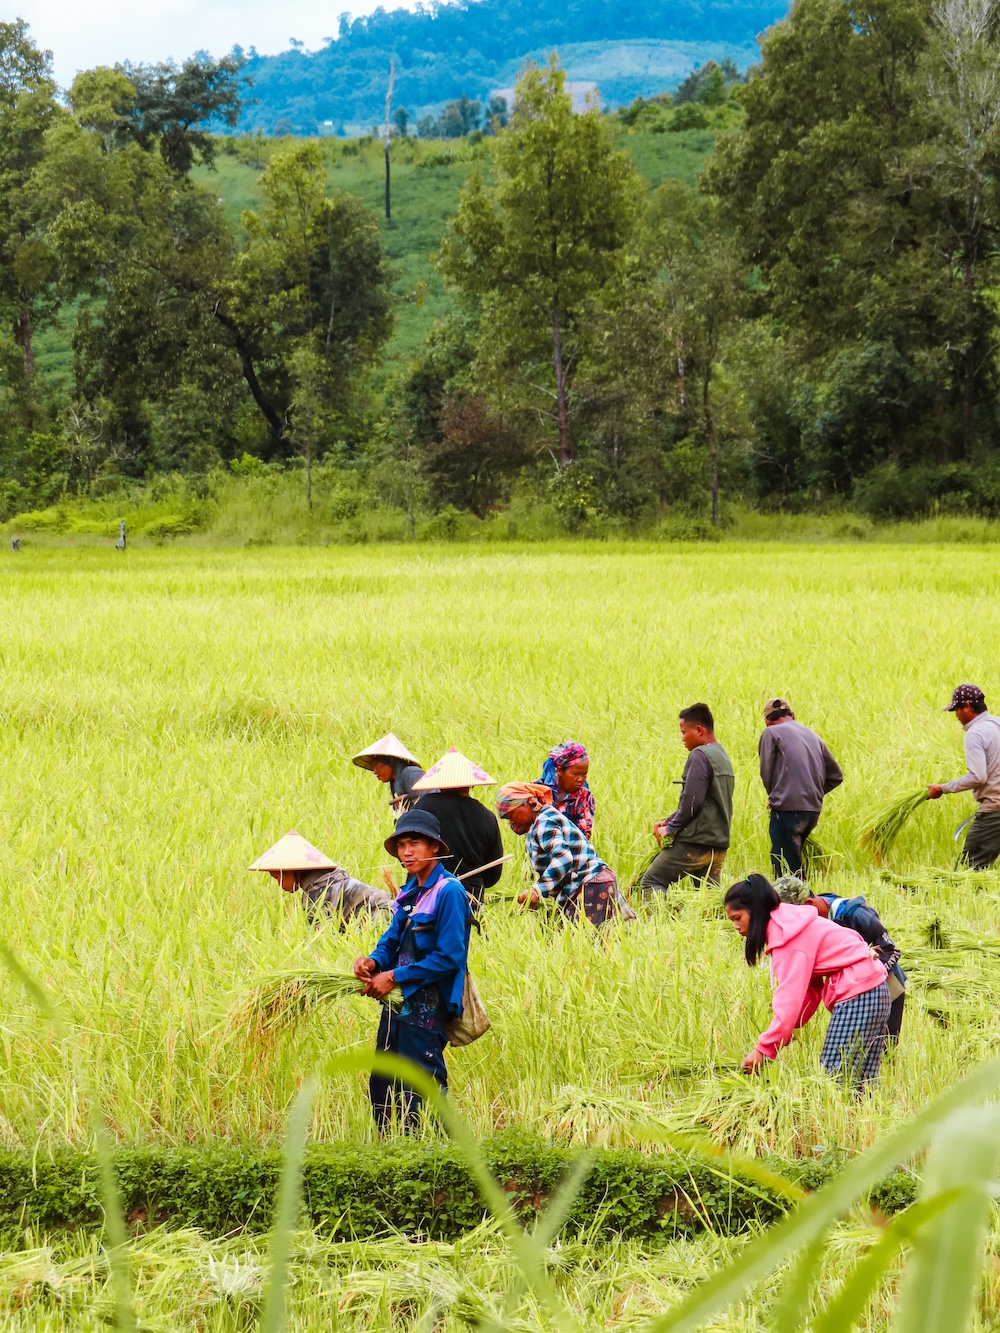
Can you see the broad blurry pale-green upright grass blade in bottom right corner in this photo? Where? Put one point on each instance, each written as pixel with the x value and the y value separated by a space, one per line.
pixel 945 1271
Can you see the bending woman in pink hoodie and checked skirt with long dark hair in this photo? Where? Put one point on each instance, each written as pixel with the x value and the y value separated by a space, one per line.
pixel 814 960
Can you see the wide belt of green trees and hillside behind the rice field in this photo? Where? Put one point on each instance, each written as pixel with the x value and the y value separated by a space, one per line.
pixel 557 313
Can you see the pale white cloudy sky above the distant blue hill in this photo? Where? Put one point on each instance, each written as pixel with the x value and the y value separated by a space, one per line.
pixel 82 34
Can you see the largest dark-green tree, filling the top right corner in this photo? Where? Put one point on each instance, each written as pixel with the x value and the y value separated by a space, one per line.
pixel 862 189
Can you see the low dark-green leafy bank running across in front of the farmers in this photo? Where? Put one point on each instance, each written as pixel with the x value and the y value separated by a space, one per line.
pixel 410 1187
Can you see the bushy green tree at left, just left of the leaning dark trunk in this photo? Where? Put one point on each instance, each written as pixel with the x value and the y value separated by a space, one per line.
pixel 141 253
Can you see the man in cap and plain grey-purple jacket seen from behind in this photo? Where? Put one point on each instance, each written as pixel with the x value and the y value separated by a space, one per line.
pixel 798 771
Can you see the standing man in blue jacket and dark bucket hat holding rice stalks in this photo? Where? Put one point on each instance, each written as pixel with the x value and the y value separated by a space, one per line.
pixel 426 954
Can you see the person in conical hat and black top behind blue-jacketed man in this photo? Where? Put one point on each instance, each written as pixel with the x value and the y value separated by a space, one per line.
pixel 467 826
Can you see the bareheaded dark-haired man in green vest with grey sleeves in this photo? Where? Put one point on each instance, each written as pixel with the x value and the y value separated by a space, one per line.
pixel 699 828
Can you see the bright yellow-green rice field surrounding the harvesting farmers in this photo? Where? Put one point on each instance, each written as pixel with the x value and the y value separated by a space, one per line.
pixel 167 715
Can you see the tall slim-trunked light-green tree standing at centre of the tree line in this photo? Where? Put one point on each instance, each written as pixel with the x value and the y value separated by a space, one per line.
pixel 542 242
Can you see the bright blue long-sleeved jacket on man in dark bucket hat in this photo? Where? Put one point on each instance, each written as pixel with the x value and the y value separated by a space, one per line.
pixel 442 922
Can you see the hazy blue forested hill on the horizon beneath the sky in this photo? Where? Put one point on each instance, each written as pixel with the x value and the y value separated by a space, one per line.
pixel 467 47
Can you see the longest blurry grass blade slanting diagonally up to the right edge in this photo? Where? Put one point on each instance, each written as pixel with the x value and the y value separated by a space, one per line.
pixel 809 1222
